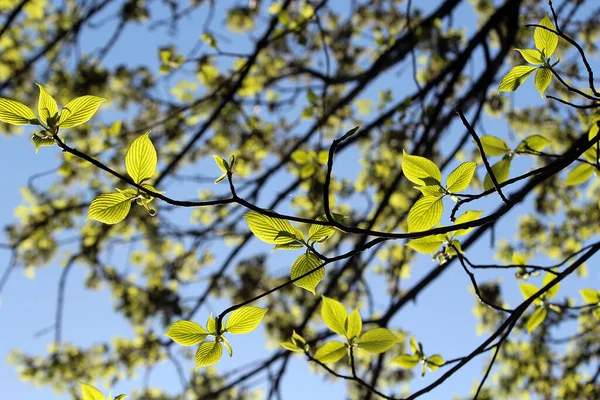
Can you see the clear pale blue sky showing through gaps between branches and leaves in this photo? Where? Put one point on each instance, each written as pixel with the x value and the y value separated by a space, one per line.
pixel 441 318
